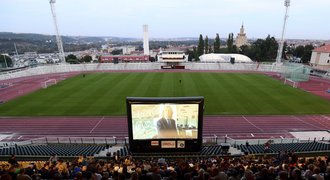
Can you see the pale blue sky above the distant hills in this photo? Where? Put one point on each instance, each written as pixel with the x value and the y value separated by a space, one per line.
pixel 308 19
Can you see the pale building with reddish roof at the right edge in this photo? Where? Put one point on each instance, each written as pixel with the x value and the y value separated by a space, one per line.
pixel 321 58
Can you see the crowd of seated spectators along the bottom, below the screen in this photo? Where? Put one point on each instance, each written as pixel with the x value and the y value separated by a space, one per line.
pixel 286 165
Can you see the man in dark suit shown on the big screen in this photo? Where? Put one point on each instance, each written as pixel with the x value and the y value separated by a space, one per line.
pixel 166 125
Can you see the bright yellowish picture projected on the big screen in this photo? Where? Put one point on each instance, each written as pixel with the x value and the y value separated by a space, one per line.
pixel 163 121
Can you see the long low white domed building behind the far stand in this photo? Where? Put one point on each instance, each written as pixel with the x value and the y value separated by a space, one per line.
pixel 224 58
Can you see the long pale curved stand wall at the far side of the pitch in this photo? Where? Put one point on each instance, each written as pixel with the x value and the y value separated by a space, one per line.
pixel 65 68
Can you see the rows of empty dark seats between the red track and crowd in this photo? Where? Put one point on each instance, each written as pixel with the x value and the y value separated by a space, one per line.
pixel 207 150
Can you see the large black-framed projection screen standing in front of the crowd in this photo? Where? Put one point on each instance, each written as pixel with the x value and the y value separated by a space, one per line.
pixel 165 123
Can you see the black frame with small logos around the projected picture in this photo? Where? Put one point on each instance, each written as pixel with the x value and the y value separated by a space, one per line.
pixel 191 144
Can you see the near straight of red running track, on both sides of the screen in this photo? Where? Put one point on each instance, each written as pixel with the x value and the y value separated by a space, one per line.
pixel 236 127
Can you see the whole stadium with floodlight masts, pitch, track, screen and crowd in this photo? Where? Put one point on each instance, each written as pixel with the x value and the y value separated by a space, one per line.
pixel 220 117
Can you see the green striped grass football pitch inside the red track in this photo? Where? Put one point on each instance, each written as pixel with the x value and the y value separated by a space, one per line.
pixel 104 94
